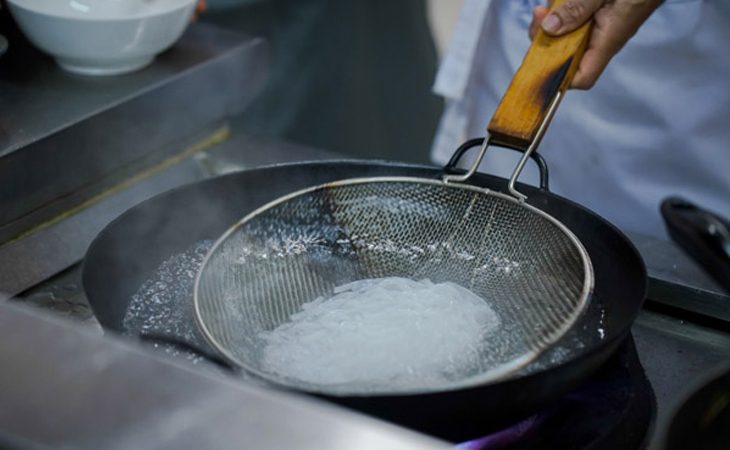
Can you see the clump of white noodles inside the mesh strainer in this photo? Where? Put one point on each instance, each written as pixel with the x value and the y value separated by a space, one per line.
pixel 382 333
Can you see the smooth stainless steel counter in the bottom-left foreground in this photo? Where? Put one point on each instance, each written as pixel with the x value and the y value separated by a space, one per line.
pixel 62 386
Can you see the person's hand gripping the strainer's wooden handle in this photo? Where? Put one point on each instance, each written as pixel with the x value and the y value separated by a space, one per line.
pixel 614 23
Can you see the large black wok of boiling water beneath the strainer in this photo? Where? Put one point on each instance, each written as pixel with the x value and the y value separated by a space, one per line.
pixel 129 250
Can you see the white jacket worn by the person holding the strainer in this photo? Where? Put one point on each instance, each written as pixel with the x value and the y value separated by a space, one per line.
pixel 657 122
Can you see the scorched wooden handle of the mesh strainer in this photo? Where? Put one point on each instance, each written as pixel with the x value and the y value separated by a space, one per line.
pixel 547 69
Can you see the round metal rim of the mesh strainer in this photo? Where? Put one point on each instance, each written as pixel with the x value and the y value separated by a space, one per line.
pixel 489 377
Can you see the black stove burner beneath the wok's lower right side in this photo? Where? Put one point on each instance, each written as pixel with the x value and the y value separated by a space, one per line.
pixel 614 409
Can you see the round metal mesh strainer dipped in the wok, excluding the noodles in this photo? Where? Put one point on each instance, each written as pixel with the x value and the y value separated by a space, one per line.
pixel 526 264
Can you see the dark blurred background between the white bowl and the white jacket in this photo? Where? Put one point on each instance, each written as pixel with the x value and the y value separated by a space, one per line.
pixel 351 77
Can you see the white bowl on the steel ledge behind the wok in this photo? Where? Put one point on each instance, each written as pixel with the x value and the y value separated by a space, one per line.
pixel 102 37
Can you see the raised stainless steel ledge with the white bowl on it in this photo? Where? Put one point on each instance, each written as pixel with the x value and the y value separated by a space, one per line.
pixel 66 138
